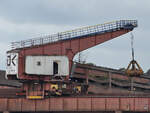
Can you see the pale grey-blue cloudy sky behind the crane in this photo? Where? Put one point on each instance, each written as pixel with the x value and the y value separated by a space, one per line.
pixel 25 19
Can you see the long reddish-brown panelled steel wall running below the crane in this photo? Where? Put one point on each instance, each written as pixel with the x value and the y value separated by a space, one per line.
pixel 75 104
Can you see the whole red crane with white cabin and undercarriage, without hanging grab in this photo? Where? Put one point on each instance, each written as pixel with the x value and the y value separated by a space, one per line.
pixel 44 64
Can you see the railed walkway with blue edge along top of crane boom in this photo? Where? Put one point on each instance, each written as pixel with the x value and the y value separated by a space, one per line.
pixel 77 33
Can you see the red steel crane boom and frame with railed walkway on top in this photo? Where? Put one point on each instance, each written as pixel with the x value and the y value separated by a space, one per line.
pixel 69 43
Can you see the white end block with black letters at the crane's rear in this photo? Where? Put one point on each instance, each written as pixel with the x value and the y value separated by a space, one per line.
pixel 12 64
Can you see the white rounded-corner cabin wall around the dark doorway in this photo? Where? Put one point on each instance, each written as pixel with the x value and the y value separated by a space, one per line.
pixel 43 65
